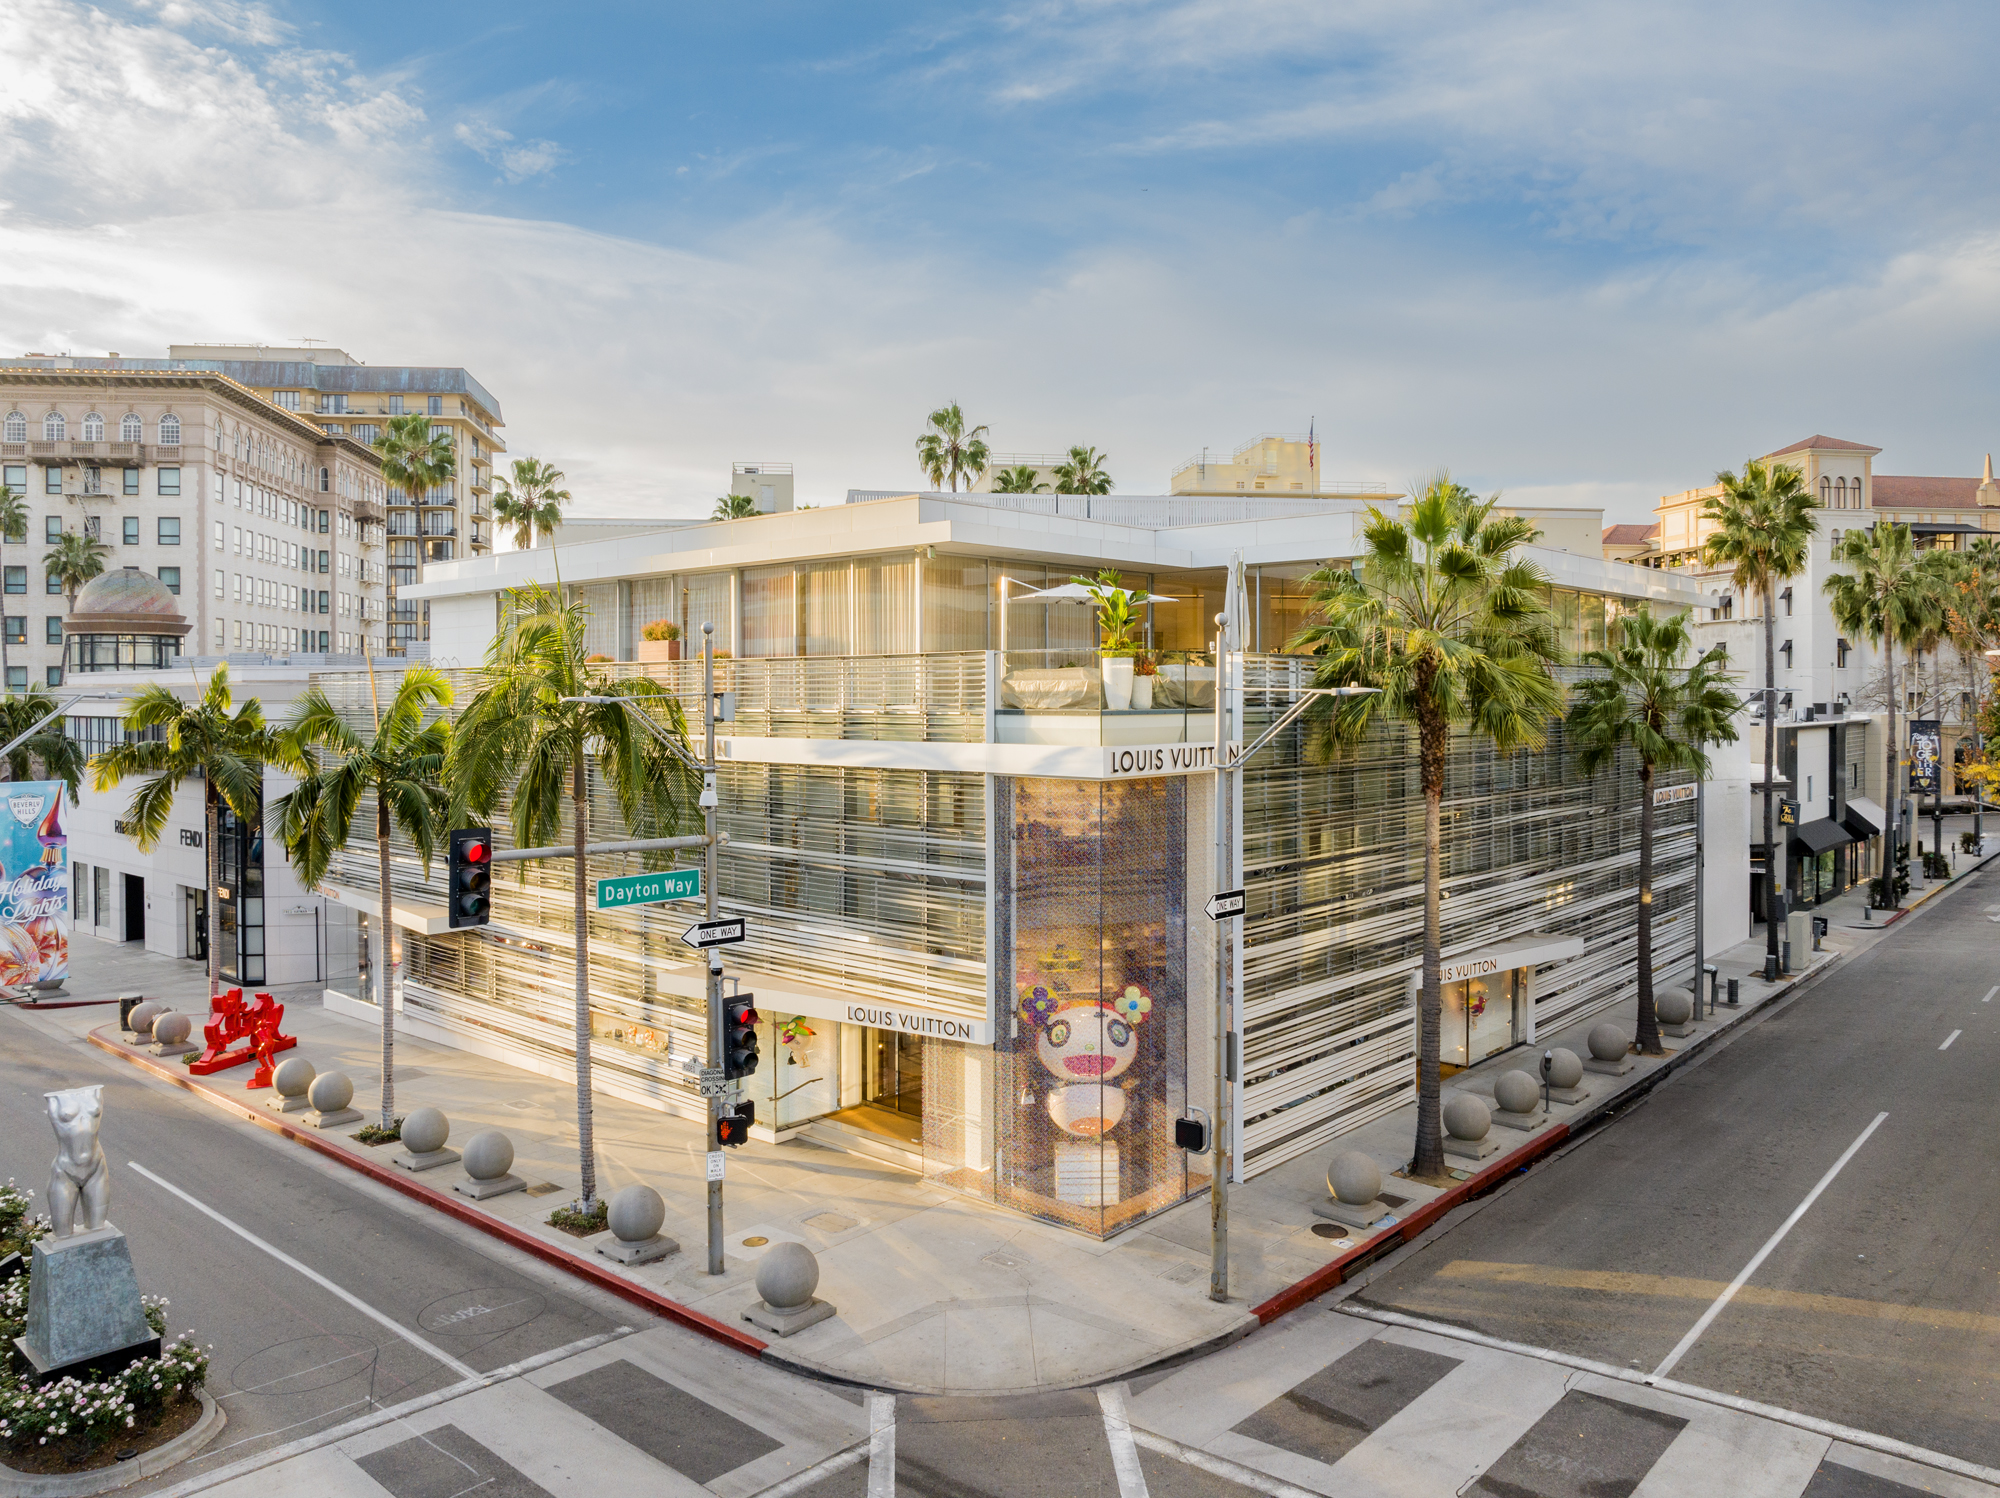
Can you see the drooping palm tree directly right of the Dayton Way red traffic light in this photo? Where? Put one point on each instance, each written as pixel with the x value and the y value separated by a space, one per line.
pixel 529 735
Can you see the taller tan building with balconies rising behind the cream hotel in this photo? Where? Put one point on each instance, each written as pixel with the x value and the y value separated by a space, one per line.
pixel 349 399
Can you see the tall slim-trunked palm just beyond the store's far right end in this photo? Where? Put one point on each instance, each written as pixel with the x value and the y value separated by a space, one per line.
pixel 1763 527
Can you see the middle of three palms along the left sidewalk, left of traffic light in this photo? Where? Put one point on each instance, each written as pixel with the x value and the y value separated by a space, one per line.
pixel 401 765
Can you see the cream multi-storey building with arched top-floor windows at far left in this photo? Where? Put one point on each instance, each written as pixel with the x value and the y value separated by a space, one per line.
pixel 263 525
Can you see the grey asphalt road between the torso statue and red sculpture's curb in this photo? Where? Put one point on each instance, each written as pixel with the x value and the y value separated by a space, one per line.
pixel 291 1355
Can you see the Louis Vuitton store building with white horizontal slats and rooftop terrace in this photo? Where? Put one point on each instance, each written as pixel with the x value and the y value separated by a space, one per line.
pixel 977 931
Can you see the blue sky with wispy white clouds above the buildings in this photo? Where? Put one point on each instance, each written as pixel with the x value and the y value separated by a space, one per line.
pixel 1573 251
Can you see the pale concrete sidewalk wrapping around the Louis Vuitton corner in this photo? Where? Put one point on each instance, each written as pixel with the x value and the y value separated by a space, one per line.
pixel 937 1293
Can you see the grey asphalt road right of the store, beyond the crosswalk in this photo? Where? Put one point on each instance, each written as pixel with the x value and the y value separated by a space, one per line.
pixel 1881 1307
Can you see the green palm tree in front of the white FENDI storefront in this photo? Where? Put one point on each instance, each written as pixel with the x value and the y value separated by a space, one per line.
pixel 213 739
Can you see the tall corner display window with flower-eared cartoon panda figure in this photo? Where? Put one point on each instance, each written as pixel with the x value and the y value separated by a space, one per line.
pixel 1091 1059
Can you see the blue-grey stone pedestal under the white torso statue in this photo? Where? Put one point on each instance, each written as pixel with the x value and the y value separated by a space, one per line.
pixel 83 1309
